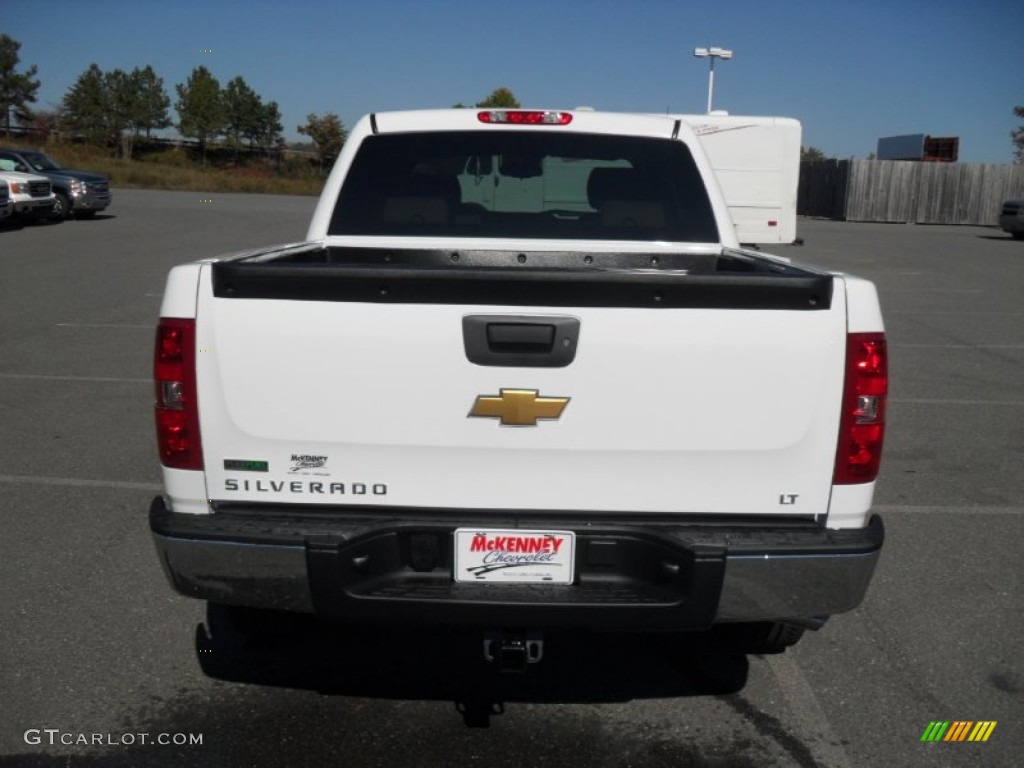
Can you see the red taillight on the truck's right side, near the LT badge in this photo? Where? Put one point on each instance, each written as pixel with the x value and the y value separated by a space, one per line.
pixel 863 425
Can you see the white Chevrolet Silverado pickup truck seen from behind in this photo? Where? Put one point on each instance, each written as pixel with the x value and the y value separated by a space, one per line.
pixel 522 377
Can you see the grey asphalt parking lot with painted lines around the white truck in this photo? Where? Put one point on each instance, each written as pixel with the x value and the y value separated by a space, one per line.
pixel 95 642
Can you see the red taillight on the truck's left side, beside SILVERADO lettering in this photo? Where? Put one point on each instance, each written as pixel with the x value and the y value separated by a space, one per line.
pixel 178 411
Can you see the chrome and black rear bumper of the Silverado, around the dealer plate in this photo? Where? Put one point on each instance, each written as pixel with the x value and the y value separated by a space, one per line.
pixel 387 565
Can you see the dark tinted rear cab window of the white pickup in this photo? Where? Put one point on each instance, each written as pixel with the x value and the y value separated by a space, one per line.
pixel 525 185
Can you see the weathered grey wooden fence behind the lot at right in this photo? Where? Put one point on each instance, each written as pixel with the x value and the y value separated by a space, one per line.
pixel 908 192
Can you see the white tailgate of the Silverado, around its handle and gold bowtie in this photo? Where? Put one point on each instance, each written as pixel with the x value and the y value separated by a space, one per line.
pixel 678 409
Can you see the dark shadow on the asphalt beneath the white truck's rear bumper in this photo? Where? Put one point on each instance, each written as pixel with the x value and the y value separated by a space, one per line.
pixel 444 664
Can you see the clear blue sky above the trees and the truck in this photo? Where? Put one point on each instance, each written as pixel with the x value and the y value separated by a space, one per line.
pixel 850 72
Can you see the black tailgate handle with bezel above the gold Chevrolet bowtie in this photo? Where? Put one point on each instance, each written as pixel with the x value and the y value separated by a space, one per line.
pixel 521 342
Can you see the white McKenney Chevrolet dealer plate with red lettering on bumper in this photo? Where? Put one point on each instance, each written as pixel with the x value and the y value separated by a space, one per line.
pixel 515 557
